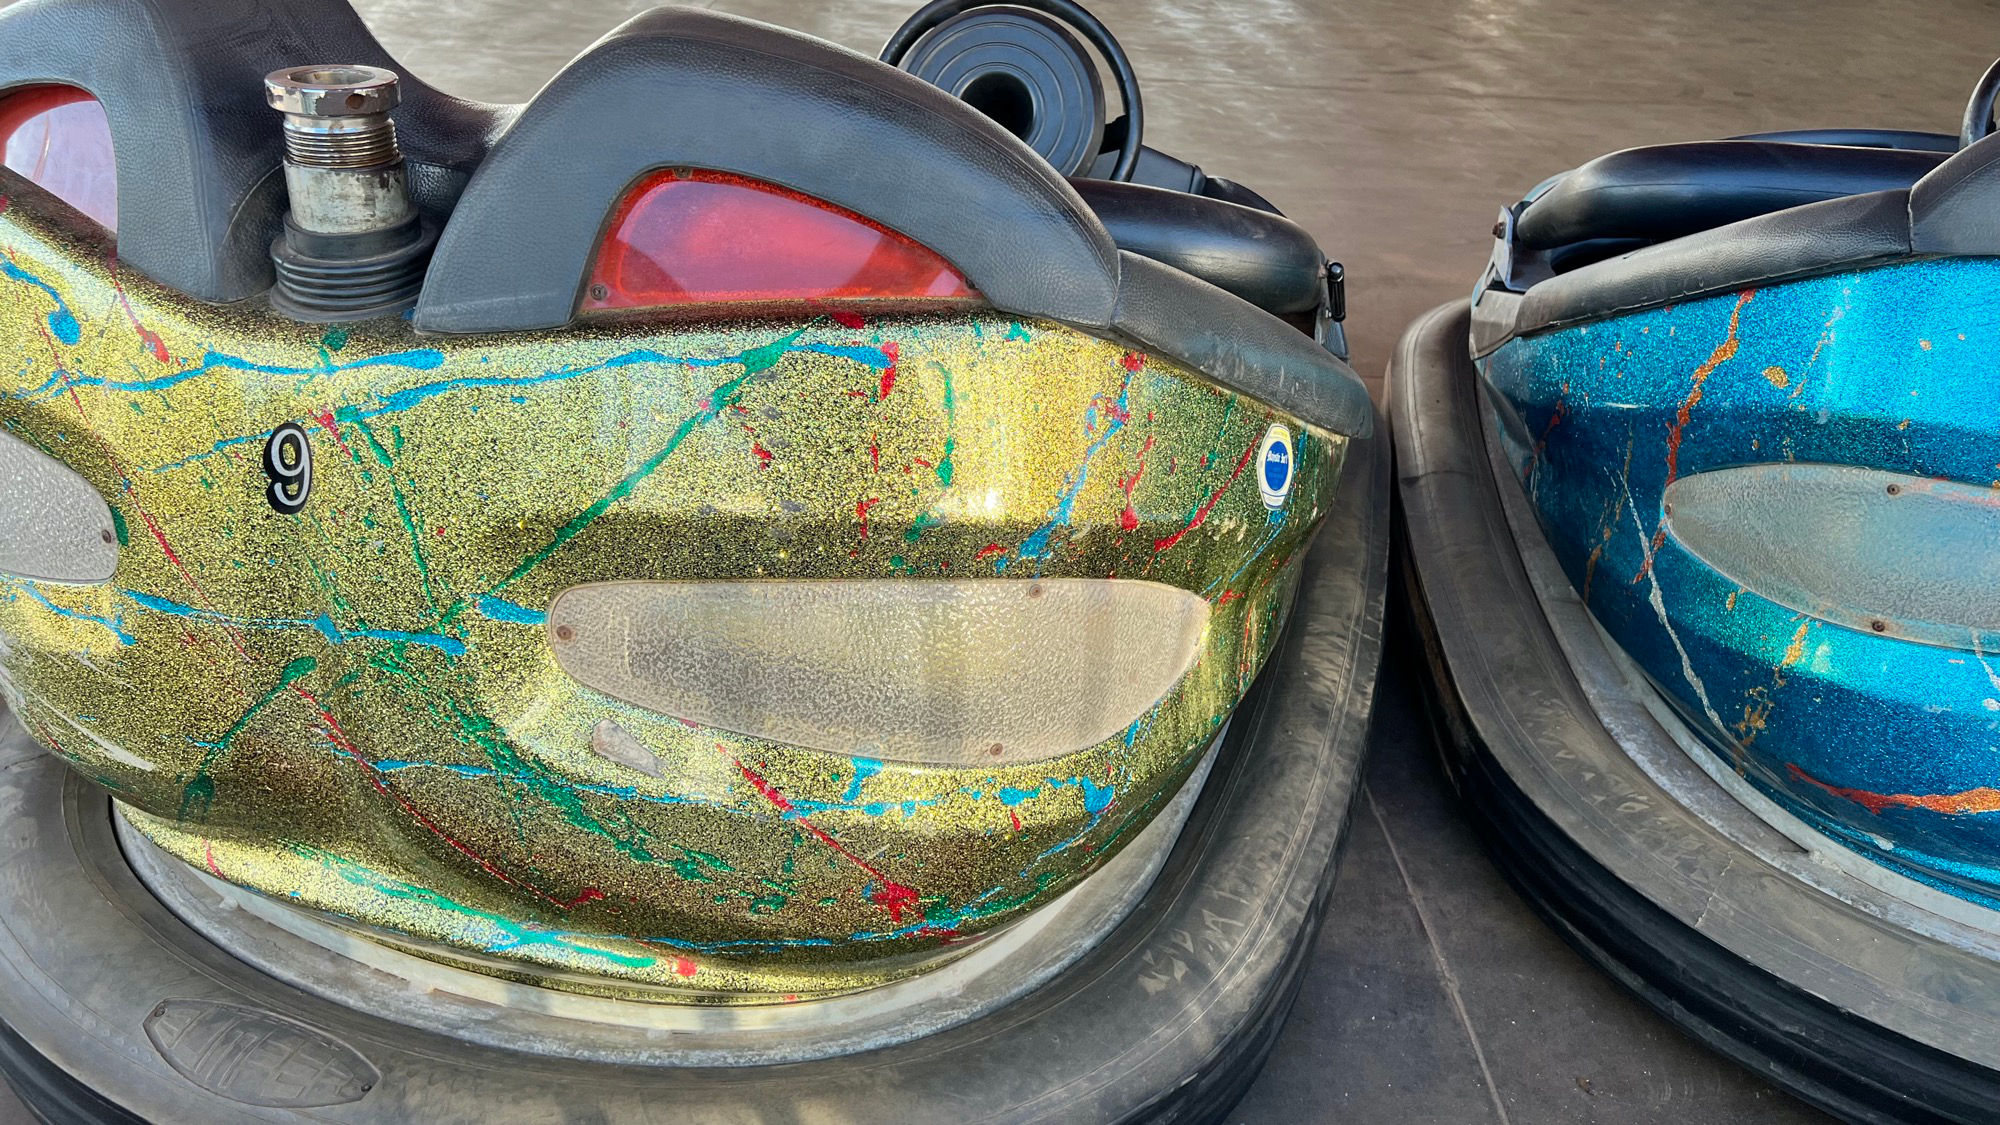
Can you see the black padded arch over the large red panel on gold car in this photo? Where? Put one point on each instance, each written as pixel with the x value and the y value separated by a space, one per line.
pixel 681 87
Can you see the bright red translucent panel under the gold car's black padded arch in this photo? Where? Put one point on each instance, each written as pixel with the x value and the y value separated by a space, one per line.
pixel 713 239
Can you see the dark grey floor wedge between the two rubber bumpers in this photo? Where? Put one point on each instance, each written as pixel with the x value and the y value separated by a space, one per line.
pixel 1437 996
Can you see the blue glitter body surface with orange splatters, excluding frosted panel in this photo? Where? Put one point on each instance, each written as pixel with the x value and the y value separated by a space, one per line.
pixel 1887 746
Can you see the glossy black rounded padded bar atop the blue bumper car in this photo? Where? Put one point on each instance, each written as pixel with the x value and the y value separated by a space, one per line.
pixel 1667 191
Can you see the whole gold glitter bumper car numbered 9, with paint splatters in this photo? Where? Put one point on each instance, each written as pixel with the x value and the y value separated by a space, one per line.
pixel 761 582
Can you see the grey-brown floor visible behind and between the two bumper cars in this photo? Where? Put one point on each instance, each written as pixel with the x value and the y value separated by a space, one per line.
pixel 1393 131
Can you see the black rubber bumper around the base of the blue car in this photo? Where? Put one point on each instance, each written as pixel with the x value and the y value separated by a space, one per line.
pixel 1855 1014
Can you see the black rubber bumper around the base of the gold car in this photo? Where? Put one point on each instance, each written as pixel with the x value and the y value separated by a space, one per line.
pixel 1167 1020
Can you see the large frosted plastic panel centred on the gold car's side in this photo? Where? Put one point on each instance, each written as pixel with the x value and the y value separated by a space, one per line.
pixel 987 672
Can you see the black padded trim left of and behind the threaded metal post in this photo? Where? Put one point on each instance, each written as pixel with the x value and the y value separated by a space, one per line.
pixel 199 151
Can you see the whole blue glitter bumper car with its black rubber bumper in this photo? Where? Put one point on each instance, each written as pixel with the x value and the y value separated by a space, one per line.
pixel 1703 545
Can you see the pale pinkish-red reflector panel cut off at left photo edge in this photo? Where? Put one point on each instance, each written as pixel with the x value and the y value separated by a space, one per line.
pixel 59 139
